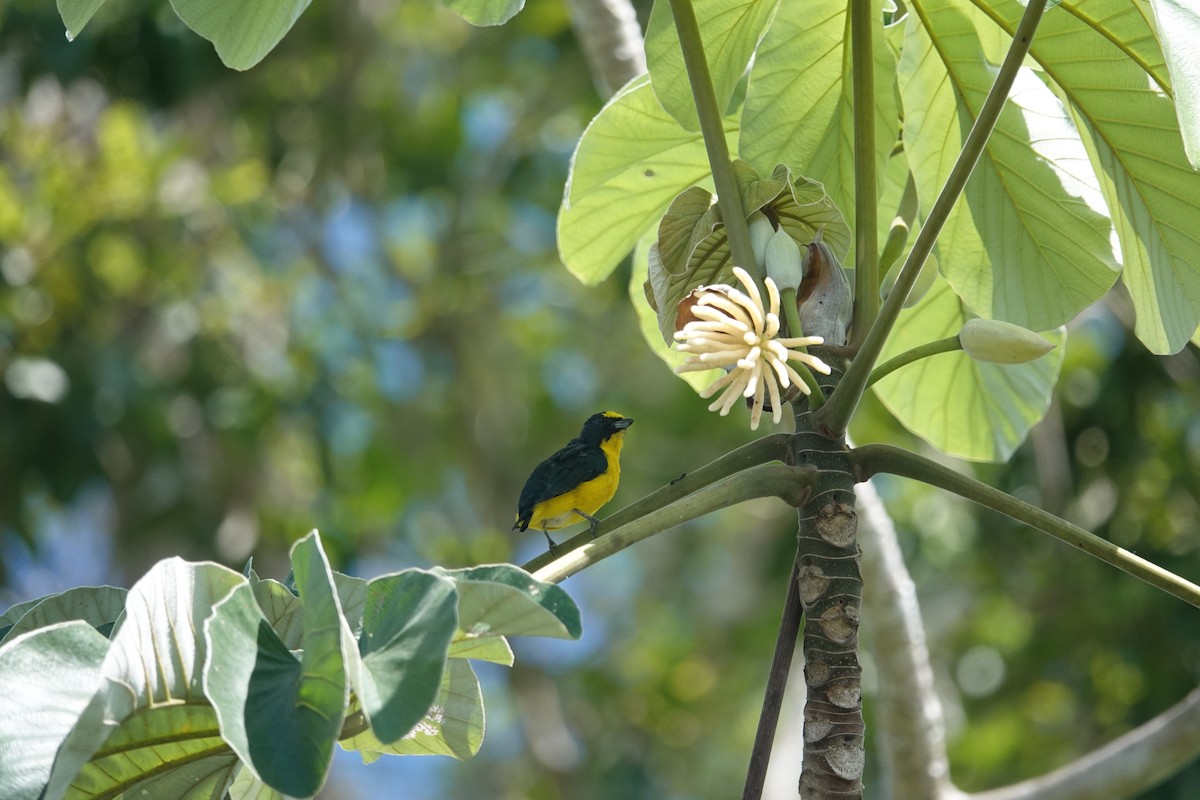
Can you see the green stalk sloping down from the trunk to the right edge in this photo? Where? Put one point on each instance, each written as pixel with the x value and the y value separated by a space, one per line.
pixel 872 460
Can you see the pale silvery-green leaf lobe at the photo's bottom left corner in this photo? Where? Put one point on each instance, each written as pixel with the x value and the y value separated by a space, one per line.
pixel 47 678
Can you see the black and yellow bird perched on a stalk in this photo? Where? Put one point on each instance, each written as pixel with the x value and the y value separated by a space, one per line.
pixel 573 484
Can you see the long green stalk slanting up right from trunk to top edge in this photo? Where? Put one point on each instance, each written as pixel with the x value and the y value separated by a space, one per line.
pixel 836 414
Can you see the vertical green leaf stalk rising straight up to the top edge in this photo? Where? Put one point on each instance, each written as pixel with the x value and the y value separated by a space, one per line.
pixel 867 248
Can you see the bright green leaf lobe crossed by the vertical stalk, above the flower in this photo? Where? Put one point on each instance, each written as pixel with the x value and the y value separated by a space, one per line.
pixel 800 104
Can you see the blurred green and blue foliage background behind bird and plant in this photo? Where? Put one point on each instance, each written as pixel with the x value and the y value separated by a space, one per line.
pixel 325 294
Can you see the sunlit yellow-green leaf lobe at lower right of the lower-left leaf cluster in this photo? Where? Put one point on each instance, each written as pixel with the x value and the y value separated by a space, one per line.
pixel 453 726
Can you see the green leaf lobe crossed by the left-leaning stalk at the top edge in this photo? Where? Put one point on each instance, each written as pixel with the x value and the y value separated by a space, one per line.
pixel 730 32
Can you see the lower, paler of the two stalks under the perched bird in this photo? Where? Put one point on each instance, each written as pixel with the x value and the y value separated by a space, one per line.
pixel 767 480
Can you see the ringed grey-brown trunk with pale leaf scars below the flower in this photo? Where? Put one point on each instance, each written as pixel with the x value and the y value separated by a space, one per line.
pixel 831 588
